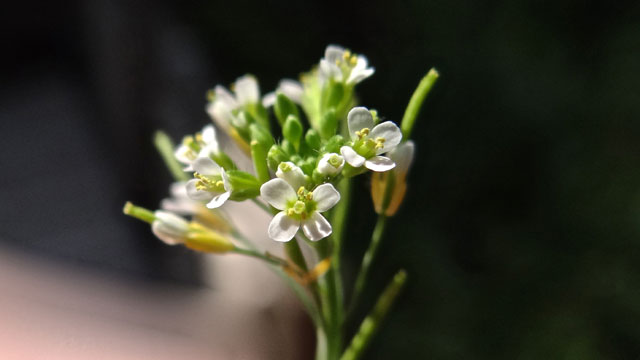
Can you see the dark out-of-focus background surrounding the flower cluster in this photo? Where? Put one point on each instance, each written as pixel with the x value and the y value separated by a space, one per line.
pixel 521 233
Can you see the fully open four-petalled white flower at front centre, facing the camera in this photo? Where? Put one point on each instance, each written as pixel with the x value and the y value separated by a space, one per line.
pixel 299 209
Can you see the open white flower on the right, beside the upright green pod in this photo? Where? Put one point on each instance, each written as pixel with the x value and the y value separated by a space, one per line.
pixel 370 141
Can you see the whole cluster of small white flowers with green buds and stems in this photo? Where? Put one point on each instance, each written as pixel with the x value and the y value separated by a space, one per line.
pixel 306 140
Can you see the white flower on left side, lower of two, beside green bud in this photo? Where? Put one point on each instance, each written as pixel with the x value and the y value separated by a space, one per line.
pixel 210 184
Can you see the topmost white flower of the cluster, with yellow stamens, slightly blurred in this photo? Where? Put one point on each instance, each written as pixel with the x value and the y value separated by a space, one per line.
pixel 341 65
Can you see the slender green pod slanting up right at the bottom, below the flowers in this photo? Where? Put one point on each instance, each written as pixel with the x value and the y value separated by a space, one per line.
pixel 372 322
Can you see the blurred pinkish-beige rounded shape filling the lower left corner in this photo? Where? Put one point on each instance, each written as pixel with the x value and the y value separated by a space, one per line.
pixel 52 311
